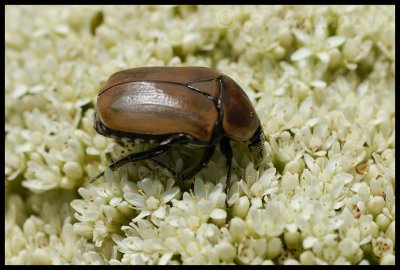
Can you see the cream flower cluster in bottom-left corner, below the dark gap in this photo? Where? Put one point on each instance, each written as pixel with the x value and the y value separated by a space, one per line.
pixel 46 237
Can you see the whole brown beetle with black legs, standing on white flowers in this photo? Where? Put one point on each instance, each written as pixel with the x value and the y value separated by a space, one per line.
pixel 177 105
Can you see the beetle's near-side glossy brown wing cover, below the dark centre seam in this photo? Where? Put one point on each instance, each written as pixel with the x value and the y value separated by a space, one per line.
pixel 157 108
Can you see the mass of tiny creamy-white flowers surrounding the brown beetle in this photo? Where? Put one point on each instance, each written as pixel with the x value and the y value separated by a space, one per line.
pixel 321 78
